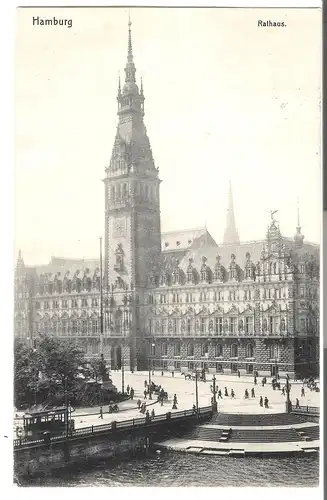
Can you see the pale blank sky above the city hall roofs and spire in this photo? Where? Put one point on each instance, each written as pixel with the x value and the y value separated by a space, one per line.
pixel 224 100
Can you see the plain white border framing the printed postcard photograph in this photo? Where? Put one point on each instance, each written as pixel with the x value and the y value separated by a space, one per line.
pixel 6 254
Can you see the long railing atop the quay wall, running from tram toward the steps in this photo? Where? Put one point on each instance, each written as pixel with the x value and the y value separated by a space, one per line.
pixel 96 429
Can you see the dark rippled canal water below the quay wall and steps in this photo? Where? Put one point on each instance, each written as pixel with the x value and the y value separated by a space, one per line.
pixel 178 469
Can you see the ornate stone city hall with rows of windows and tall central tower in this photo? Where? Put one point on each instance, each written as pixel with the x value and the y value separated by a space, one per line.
pixel 175 301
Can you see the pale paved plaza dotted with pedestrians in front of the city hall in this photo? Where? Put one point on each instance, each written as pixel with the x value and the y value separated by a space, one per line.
pixel 185 392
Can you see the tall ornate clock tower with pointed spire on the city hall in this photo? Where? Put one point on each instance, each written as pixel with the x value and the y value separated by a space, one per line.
pixel 132 207
